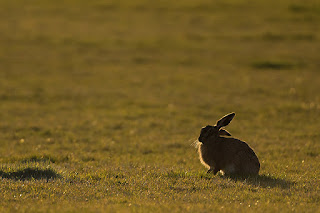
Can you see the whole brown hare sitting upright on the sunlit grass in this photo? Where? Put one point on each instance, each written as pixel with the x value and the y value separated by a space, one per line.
pixel 230 155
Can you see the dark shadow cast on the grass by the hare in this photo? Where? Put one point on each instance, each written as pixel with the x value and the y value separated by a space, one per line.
pixel 264 181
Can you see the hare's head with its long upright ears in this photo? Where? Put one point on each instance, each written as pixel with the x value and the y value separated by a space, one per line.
pixel 216 131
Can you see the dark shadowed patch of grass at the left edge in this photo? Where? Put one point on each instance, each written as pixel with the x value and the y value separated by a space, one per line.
pixel 30 173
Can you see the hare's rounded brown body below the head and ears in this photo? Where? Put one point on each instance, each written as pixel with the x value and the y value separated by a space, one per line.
pixel 229 155
